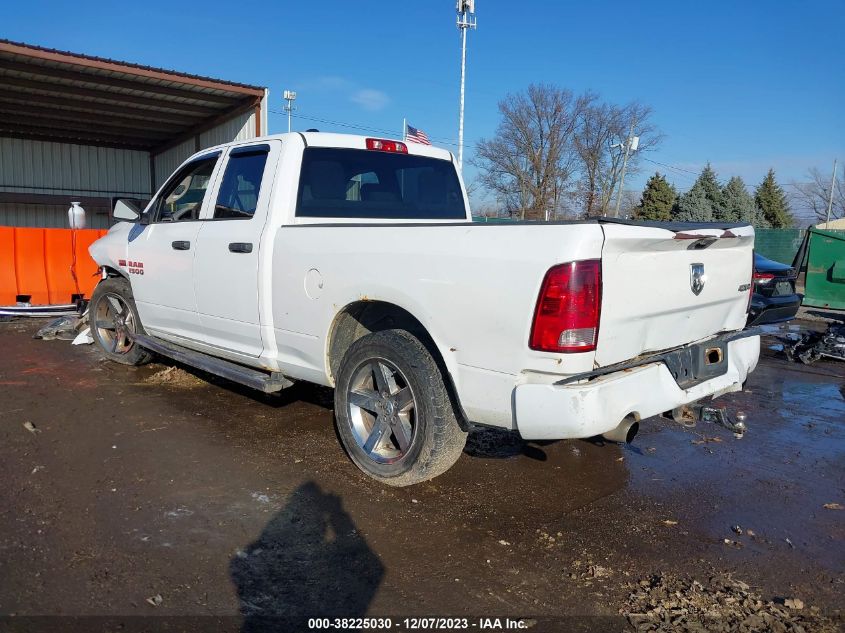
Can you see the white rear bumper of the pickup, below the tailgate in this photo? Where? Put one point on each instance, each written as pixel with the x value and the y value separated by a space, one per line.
pixel 585 409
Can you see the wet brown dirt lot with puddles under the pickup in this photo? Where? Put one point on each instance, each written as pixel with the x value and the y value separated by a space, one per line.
pixel 137 493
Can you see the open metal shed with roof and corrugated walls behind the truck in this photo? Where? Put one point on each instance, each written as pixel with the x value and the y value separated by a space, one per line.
pixel 77 127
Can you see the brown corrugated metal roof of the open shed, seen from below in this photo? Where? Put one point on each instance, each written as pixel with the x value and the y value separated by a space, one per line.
pixel 55 95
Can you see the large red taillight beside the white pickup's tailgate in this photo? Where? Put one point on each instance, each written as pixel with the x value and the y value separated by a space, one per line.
pixel 566 319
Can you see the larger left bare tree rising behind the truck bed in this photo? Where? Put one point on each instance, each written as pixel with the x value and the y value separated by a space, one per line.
pixel 530 163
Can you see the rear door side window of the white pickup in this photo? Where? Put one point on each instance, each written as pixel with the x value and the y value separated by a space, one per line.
pixel 241 185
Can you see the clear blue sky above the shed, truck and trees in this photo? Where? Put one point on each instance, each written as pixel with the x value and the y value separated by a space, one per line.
pixel 744 85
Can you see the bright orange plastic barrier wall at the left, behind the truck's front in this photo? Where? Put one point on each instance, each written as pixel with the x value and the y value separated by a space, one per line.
pixel 48 265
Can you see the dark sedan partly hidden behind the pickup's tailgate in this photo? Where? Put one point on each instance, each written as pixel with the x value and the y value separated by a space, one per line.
pixel 774 299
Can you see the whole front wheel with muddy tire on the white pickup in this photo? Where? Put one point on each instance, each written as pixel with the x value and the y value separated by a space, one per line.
pixel 113 317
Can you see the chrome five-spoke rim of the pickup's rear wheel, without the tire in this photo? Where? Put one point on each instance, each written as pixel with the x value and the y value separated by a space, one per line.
pixel 382 411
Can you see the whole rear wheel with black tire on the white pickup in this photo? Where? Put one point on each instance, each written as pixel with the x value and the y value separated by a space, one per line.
pixel 393 411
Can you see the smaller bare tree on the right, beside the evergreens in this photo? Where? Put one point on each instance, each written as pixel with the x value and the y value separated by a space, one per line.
pixel 602 126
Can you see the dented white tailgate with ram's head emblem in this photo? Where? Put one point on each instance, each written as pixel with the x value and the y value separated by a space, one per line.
pixel 652 295
